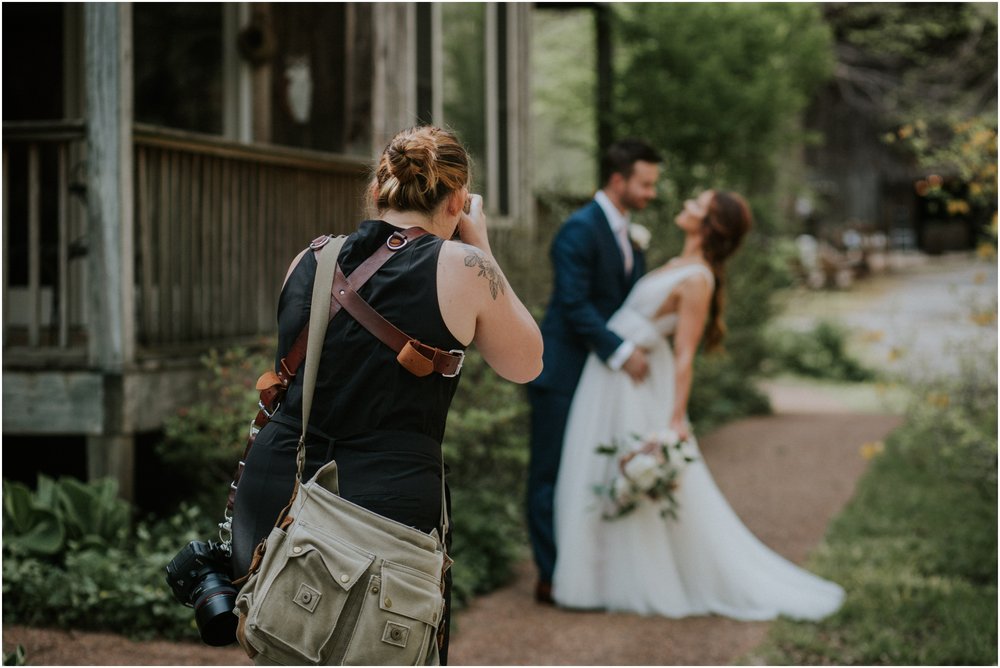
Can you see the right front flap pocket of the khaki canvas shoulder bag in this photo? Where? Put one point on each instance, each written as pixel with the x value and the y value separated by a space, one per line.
pixel 398 620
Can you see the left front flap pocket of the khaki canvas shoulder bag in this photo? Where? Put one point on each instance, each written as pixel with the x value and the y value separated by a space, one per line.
pixel 298 608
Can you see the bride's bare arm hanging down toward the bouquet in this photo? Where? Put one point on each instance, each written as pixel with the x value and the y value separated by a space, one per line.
pixel 695 295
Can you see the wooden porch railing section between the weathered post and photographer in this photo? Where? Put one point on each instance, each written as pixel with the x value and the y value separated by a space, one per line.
pixel 217 223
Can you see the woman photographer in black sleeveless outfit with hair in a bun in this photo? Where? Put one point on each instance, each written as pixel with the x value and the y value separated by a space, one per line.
pixel 380 422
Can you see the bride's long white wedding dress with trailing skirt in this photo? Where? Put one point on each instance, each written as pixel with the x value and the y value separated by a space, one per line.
pixel 706 560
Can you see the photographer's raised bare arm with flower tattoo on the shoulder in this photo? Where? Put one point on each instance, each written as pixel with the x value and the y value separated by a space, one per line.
pixel 478 304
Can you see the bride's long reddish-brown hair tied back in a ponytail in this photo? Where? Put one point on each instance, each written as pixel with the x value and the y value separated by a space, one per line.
pixel 726 223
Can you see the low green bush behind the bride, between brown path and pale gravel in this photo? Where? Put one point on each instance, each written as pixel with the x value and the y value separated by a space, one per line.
pixel 820 353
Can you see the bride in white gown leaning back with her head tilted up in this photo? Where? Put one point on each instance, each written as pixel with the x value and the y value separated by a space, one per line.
pixel 704 561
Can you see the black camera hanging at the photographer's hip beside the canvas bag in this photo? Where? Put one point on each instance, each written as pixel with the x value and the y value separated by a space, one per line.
pixel 199 577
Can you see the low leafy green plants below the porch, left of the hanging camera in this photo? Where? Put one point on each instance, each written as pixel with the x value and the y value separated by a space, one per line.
pixel 100 578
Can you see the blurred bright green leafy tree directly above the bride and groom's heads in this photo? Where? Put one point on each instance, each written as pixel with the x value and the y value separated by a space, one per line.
pixel 718 86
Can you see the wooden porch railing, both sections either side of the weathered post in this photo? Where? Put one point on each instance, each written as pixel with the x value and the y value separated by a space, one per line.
pixel 216 224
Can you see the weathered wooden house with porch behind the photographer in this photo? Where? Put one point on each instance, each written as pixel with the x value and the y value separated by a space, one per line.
pixel 162 163
